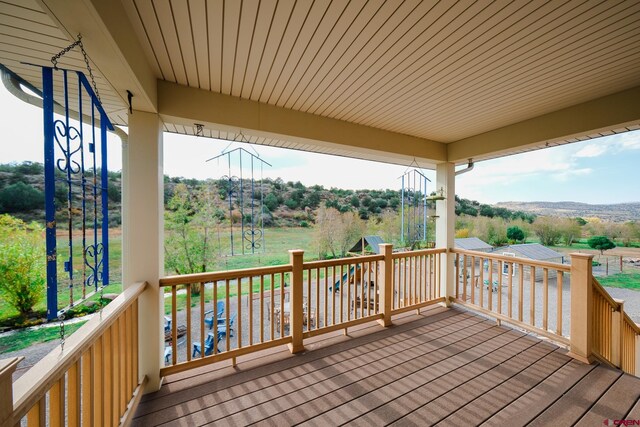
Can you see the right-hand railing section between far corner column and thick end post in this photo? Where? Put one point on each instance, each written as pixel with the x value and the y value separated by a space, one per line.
pixel 529 294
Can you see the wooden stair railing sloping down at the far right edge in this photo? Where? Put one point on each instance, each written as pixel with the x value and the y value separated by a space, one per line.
pixel 615 335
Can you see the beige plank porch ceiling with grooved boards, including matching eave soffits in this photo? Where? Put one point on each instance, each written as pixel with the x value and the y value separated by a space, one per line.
pixel 440 70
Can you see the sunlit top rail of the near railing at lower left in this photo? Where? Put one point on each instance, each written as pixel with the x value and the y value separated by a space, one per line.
pixel 30 387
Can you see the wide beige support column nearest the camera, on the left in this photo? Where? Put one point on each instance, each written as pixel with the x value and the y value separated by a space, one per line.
pixel 143 235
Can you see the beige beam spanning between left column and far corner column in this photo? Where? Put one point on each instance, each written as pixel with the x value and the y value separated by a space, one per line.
pixel 186 106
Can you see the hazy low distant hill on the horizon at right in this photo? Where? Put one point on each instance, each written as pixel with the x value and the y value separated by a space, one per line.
pixel 619 212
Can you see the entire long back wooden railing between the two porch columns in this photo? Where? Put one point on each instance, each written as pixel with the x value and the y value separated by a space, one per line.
pixel 271 306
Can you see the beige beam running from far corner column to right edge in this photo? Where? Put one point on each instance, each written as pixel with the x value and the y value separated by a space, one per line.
pixel 609 112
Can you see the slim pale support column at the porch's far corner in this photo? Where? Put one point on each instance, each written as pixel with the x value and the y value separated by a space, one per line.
pixel 445 225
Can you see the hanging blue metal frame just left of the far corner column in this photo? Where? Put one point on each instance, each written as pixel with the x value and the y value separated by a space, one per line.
pixel 413 212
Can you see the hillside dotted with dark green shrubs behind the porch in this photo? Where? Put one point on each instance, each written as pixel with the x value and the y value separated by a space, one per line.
pixel 286 203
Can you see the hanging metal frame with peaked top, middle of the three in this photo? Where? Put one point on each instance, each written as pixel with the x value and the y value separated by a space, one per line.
pixel 251 231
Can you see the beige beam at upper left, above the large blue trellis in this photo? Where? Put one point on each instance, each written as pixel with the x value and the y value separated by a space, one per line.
pixel 111 44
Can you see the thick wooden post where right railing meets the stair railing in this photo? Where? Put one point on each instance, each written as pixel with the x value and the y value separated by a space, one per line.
pixel 581 307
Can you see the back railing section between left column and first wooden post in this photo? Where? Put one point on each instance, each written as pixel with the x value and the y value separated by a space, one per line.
pixel 253 302
